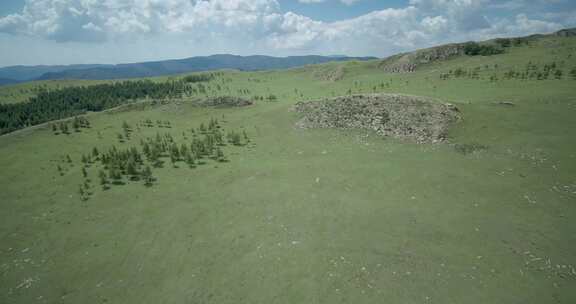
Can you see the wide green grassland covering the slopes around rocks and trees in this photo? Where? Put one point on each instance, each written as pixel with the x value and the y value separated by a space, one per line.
pixel 311 216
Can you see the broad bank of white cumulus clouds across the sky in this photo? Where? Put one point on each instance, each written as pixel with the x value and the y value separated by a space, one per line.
pixel 260 26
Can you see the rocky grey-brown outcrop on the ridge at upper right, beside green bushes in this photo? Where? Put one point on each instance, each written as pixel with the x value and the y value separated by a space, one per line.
pixel 408 62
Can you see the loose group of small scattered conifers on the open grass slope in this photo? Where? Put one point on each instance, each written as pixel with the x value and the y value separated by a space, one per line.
pixel 132 164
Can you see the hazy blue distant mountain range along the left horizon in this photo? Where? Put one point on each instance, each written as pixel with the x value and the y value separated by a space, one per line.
pixel 15 74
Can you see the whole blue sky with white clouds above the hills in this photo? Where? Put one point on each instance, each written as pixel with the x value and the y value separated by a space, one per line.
pixel 34 32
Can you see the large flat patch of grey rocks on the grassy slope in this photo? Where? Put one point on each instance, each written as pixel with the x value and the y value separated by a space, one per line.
pixel 402 116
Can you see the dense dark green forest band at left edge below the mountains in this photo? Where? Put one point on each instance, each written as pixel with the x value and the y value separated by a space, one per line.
pixel 56 104
